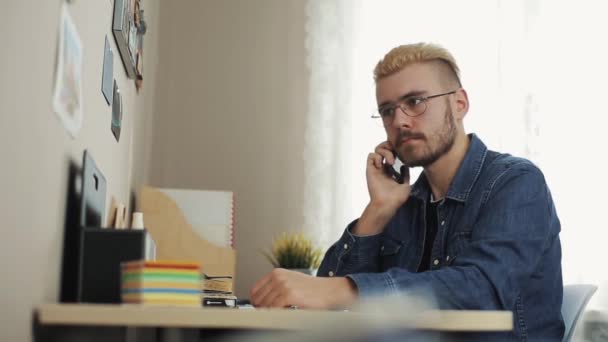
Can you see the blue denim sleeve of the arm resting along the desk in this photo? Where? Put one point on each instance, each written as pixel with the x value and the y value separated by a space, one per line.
pixel 516 229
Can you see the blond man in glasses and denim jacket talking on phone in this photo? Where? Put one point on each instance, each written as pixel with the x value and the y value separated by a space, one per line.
pixel 478 228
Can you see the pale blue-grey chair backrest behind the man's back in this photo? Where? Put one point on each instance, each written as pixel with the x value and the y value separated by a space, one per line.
pixel 575 300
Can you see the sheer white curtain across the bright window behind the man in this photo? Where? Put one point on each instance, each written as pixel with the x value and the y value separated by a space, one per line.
pixel 536 74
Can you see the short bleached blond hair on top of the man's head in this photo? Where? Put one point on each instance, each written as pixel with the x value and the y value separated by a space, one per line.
pixel 404 55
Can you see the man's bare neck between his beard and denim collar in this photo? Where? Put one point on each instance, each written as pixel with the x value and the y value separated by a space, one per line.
pixel 441 172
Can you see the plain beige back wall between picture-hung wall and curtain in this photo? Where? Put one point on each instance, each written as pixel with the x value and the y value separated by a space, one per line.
pixel 230 114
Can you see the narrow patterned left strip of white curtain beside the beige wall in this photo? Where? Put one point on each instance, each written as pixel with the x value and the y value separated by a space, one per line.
pixel 327 155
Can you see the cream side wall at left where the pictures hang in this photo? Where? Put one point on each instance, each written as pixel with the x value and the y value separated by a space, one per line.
pixel 35 150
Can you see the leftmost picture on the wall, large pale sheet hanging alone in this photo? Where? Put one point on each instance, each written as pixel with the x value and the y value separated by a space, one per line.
pixel 67 95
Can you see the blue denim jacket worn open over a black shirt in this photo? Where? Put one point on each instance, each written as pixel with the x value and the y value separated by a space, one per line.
pixel 497 246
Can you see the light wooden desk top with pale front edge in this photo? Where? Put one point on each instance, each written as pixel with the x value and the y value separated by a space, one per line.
pixel 175 319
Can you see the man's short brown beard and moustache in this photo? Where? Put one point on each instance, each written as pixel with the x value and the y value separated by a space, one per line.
pixel 438 144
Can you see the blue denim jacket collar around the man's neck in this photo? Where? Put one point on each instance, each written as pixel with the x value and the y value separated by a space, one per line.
pixel 465 178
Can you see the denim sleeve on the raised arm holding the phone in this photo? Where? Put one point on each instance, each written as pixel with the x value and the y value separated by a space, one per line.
pixel 351 254
